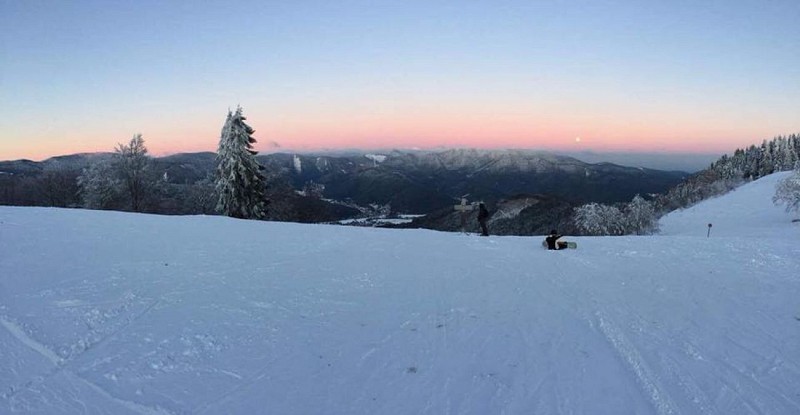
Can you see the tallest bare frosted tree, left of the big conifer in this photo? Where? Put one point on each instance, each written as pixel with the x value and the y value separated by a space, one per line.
pixel 133 167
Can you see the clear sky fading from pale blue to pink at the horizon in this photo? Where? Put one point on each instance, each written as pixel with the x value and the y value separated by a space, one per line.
pixel 601 76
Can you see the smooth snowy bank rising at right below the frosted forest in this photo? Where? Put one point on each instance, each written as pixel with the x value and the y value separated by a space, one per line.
pixel 747 211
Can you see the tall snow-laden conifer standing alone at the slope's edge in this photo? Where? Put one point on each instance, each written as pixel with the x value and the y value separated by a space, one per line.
pixel 240 186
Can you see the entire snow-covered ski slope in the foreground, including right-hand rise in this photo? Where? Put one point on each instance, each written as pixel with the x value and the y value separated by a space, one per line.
pixel 115 313
